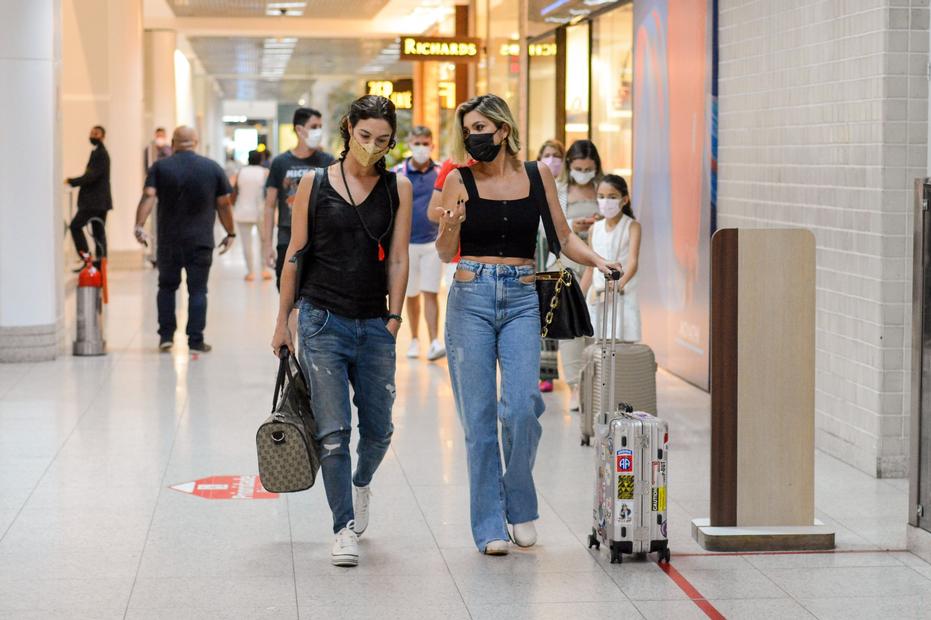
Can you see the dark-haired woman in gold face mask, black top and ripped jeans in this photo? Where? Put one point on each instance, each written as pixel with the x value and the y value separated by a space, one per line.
pixel 350 298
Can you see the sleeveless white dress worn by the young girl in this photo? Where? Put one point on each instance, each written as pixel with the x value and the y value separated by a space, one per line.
pixel 614 245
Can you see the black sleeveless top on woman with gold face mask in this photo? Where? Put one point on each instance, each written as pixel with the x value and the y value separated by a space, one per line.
pixel 343 273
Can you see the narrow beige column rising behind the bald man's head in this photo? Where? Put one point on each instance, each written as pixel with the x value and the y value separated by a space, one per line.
pixel 160 104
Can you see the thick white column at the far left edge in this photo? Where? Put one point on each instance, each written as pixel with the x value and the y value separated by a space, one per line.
pixel 30 215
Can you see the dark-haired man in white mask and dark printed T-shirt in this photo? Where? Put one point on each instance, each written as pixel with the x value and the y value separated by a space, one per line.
pixel 283 178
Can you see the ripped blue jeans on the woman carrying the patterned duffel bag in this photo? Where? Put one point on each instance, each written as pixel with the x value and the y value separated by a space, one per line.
pixel 336 353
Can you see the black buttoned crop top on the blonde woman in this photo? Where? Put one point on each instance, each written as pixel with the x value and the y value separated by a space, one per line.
pixel 504 228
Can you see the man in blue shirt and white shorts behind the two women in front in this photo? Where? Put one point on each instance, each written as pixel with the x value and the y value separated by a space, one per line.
pixel 426 270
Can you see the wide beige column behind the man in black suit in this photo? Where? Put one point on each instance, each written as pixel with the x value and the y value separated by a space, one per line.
pixel 102 83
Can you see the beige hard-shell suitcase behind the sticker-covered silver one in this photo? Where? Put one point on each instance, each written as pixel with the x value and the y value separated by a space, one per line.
pixel 634 379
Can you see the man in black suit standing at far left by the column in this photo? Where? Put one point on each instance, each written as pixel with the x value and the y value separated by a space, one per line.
pixel 94 198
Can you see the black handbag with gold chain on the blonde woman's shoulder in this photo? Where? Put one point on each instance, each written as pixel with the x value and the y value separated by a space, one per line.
pixel 563 311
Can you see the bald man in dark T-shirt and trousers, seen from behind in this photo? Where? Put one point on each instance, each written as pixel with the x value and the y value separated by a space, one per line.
pixel 191 190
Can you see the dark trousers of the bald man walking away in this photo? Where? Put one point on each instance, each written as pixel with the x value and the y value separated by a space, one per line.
pixel 195 261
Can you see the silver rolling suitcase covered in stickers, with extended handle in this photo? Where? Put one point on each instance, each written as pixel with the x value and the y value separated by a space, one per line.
pixel 631 455
